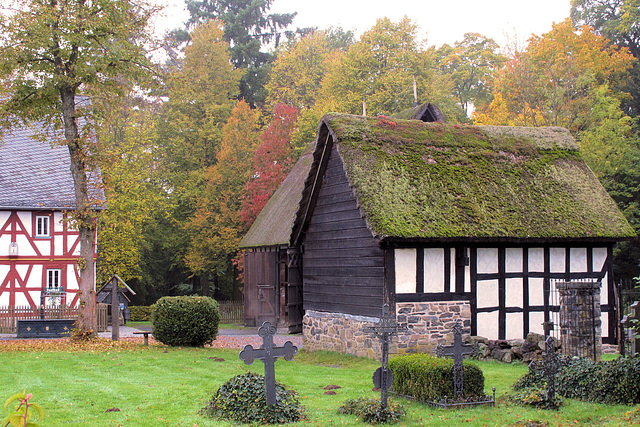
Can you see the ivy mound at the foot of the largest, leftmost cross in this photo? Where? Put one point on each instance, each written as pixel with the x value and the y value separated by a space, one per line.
pixel 243 399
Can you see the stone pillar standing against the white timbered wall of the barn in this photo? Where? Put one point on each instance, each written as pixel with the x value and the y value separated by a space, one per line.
pixel 580 324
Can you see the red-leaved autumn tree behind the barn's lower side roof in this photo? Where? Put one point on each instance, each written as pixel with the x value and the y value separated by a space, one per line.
pixel 272 161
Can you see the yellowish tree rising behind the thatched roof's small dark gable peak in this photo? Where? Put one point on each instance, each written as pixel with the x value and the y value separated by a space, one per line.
pixel 472 65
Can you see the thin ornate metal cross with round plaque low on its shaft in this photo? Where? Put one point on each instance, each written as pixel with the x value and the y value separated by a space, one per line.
pixel 387 327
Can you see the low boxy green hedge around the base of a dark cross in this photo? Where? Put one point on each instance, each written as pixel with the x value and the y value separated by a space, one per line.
pixel 429 378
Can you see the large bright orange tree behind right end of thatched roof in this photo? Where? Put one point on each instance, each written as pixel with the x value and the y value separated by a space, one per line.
pixel 549 83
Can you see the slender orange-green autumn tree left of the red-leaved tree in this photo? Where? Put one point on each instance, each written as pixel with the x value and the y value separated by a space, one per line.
pixel 216 227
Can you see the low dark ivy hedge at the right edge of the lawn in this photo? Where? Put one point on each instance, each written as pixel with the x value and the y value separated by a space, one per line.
pixel 612 381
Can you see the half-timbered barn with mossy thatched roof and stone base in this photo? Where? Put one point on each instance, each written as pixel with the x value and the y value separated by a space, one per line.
pixel 447 222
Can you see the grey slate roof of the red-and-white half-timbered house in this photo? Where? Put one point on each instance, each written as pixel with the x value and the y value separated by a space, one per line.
pixel 36 175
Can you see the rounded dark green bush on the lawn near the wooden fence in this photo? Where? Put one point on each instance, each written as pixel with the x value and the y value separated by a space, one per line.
pixel 189 321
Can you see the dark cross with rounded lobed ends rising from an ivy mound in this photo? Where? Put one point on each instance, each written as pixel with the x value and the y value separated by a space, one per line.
pixel 268 354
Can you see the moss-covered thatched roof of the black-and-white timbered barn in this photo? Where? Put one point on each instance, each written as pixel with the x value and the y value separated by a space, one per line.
pixel 426 181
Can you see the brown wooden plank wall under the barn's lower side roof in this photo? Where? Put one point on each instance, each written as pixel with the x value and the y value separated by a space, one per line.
pixel 260 268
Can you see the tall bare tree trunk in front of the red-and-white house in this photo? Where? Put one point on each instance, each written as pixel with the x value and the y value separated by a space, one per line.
pixel 87 321
